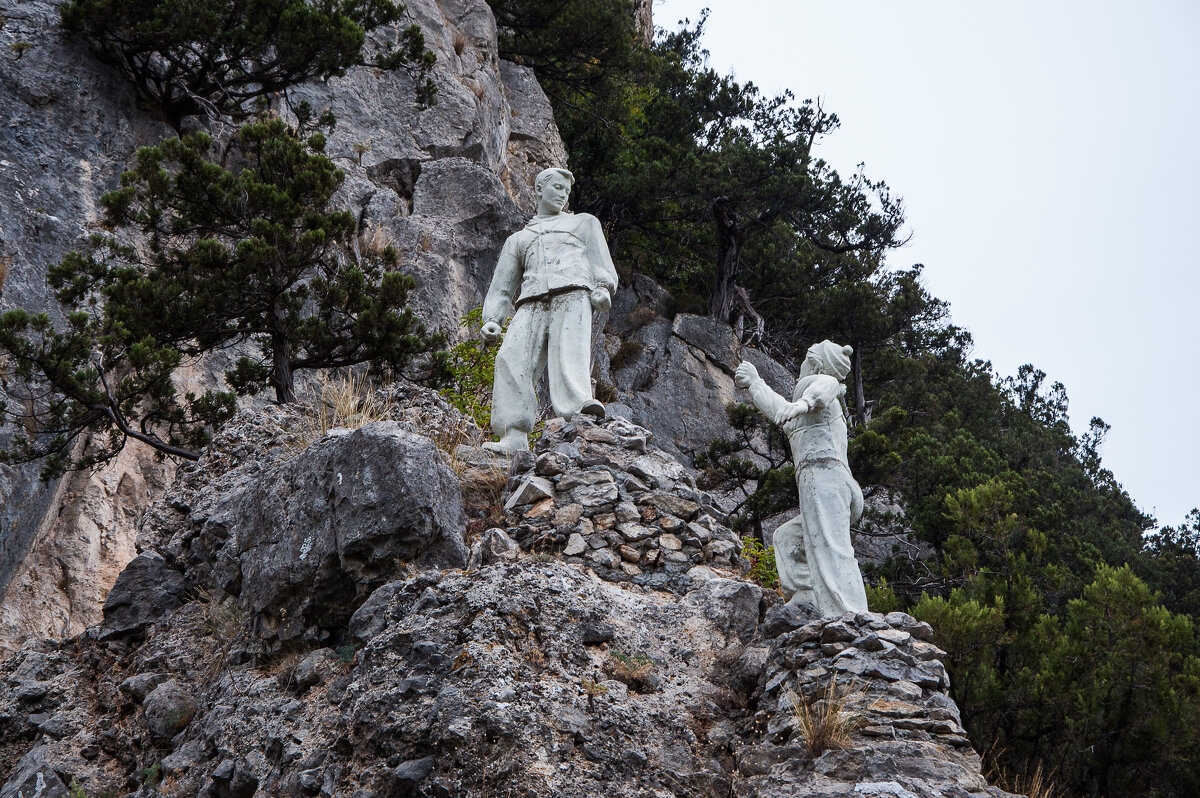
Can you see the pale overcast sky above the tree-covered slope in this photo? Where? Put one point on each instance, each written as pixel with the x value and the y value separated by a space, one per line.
pixel 1049 159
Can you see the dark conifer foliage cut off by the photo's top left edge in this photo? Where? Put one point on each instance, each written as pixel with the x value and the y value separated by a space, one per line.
pixel 220 56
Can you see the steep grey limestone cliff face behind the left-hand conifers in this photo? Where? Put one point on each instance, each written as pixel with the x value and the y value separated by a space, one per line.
pixel 445 185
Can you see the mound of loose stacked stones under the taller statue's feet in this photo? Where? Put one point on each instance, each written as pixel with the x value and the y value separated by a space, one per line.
pixel 605 497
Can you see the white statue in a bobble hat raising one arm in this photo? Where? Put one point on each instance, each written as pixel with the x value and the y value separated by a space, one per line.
pixel 813 551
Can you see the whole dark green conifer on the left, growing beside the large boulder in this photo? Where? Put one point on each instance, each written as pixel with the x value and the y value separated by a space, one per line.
pixel 248 257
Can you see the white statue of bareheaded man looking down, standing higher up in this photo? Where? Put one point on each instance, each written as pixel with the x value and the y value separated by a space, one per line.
pixel 561 266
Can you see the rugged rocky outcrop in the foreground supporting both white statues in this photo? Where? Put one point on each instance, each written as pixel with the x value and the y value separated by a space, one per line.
pixel 310 619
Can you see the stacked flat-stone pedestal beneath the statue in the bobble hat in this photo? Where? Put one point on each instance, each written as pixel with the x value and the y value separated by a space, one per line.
pixel 883 679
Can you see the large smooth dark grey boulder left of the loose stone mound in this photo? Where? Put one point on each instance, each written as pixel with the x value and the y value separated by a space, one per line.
pixel 309 539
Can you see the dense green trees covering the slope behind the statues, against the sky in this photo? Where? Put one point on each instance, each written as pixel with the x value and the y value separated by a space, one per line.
pixel 1072 635
